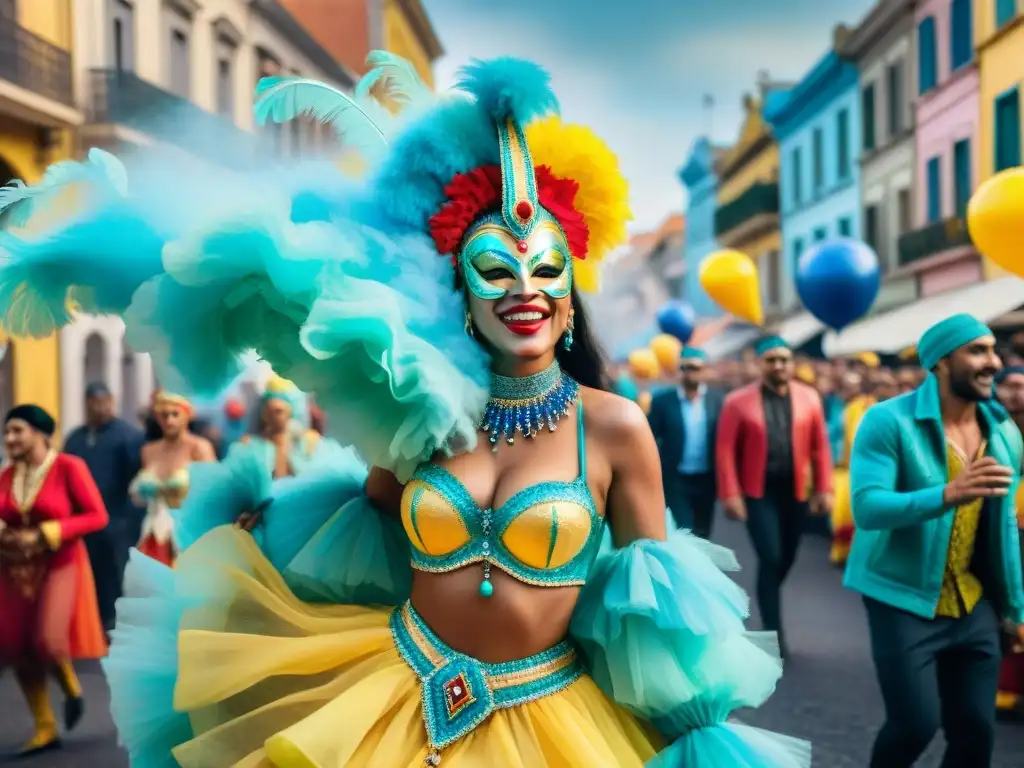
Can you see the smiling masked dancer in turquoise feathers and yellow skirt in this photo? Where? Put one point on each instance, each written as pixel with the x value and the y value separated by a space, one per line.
pixel 436 300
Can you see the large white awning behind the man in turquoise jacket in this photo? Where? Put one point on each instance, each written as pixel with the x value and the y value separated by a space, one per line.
pixel 897 330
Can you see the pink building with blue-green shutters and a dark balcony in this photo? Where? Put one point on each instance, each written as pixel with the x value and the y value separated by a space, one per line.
pixel 938 250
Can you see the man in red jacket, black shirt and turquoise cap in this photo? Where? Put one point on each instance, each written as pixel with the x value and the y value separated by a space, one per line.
pixel 772 441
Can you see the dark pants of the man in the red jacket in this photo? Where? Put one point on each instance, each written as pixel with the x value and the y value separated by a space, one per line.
pixel 776 525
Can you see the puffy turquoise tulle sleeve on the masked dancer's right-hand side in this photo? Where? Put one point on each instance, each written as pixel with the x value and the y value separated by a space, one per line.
pixel 662 628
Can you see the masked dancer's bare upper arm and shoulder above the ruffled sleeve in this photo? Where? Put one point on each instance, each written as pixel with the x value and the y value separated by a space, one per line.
pixel 636 497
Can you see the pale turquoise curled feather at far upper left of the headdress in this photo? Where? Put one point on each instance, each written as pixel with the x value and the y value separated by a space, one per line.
pixel 281 100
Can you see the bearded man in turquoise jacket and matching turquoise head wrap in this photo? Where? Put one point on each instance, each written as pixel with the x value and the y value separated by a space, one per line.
pixel 936 558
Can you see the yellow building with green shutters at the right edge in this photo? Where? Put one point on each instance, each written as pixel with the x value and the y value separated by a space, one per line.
pixel 1000 42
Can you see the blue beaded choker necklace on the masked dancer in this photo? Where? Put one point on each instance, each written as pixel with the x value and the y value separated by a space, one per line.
pixel 526 406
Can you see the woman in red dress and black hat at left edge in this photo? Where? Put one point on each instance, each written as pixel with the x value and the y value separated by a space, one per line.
pixel 49 611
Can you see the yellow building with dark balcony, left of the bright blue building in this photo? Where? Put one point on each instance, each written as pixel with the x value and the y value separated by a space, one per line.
pixel 747 219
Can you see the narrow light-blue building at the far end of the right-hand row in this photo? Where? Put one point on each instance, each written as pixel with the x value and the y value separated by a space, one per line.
pixel 699 177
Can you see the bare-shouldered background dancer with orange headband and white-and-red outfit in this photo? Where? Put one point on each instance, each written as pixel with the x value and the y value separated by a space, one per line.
pixel 163 482
